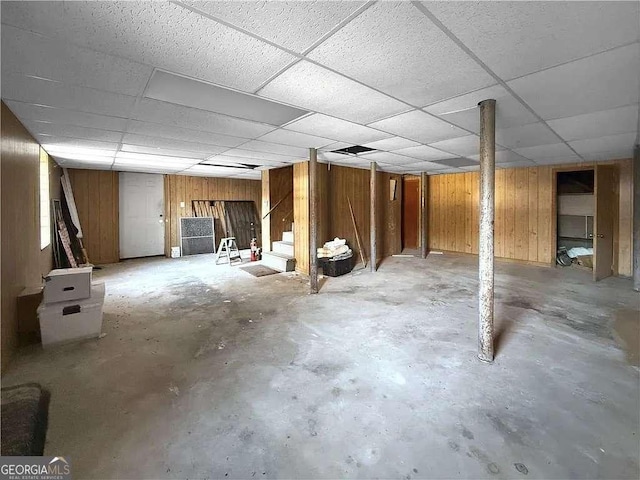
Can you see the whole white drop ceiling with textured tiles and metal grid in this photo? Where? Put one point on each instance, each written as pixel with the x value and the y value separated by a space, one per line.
pixel 232 88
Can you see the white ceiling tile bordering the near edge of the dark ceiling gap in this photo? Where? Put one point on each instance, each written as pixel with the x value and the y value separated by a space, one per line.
pixel 329 127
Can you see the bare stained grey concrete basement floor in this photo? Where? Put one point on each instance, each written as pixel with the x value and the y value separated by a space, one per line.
pixel 208 372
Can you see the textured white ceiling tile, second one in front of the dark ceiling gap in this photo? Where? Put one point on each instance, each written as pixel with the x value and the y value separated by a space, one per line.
pixel 312 87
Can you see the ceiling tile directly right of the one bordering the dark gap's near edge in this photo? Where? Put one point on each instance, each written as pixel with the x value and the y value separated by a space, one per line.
pixel 418 126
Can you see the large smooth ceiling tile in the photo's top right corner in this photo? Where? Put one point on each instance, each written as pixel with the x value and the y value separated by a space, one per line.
pixel 517 38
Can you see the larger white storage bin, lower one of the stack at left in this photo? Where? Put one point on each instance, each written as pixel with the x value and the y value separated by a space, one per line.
pixel 66 321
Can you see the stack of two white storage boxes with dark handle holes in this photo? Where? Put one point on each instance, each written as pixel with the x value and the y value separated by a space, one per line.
pixel 71 307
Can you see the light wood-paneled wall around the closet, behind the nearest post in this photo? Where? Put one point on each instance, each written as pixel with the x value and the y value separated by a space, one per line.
pixel 524 216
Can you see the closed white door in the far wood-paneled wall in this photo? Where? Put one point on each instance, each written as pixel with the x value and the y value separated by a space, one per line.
pixel 141 215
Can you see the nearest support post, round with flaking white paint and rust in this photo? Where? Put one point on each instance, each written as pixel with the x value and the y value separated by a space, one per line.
pixel 487 208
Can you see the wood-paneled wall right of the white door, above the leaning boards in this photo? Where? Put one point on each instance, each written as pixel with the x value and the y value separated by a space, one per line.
pixel 180 188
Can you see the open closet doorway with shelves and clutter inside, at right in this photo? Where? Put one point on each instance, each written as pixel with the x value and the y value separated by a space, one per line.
pixel 575 218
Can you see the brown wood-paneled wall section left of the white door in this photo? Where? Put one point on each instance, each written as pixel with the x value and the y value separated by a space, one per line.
pixel 96 193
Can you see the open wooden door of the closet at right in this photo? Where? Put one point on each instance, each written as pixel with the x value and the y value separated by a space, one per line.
pixel 603 222
